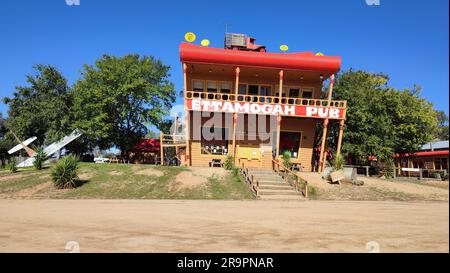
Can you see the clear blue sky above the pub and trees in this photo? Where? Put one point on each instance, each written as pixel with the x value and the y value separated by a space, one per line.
pixel 406 39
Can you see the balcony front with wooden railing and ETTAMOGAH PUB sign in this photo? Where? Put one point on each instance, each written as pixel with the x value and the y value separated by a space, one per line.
pixel 269 105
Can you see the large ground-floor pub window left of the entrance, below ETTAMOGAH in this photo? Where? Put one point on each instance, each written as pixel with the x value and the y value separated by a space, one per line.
pixel 214 141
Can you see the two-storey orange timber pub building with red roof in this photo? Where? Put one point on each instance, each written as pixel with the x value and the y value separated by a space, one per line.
pixel 256 104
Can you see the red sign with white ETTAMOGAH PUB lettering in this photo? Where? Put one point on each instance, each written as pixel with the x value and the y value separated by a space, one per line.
pixel 264 109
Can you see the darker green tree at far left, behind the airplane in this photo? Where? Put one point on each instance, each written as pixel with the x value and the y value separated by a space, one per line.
pixel 41 109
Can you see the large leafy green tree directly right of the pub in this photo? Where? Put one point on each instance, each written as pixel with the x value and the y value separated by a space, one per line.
pixel 381 120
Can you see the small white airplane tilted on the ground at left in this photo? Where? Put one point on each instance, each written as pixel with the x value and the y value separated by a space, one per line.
pixel 49 150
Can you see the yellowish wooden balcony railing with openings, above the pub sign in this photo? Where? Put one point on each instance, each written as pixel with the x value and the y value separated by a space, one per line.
pixel 265 99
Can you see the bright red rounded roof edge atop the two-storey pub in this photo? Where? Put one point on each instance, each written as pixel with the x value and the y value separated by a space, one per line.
pixel 306 61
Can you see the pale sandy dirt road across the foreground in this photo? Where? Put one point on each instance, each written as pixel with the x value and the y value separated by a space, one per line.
pixel 222 226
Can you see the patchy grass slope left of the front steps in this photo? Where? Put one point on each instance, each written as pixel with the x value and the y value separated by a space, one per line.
pixel 128 181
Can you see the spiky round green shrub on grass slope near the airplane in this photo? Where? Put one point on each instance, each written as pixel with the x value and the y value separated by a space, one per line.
pixel 65 172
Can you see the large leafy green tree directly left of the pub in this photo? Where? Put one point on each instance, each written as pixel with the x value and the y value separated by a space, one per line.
pixel 116 98
